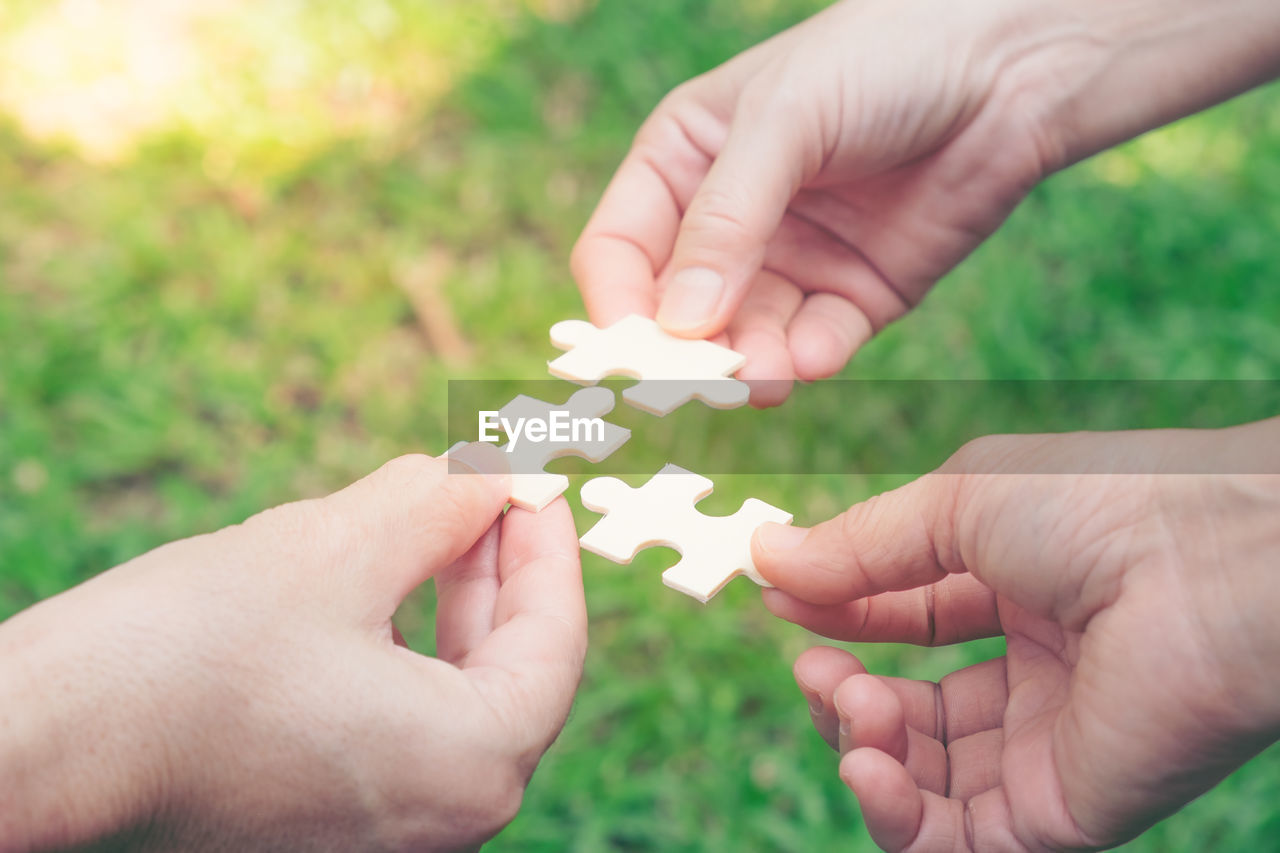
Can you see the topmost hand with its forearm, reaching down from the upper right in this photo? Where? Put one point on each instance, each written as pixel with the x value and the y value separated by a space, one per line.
pixel 813 189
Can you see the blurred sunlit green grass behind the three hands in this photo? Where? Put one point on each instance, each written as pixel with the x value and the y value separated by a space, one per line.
pixel 221 318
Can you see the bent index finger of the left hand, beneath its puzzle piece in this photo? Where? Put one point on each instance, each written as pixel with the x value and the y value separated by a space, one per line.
pixel 533 660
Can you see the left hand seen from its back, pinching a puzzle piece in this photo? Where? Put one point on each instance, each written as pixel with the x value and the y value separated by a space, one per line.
pixel 248 691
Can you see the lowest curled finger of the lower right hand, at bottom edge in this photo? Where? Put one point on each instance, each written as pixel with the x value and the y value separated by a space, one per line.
pixel 900 816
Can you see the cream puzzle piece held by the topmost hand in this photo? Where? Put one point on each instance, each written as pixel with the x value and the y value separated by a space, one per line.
pixel 637 346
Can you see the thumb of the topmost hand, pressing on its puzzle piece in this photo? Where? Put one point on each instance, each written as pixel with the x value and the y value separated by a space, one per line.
pixel 730 220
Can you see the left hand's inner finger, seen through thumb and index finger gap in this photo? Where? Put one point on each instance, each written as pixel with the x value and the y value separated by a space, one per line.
pixel 467 592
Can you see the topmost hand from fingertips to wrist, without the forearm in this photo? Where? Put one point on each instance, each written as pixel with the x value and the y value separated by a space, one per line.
pixel 813 189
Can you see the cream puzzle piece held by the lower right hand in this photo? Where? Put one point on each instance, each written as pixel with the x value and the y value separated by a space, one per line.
pixel 714 550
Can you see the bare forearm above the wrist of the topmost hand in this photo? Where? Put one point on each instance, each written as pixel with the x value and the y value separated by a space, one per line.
pixel 1095 74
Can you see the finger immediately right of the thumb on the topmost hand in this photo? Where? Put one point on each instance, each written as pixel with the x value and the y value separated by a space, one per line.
pixel 758 331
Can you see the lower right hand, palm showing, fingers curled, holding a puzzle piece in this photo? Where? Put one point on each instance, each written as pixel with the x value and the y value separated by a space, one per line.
pixel 1140 618
